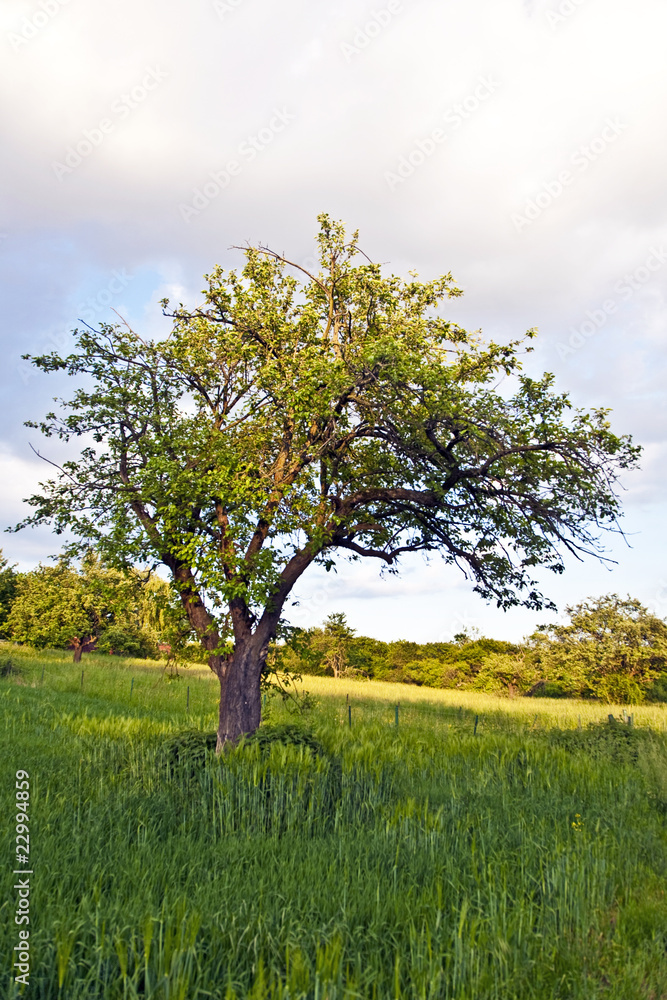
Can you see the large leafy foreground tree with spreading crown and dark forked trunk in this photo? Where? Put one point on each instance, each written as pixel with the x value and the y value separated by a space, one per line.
pixel 290 419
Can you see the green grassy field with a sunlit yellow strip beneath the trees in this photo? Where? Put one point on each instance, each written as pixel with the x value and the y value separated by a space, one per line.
pixel 526 859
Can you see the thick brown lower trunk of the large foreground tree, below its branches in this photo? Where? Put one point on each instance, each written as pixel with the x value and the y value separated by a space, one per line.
pixel 240 699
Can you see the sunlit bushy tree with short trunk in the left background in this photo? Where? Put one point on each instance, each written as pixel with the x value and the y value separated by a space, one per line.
pixel 94 608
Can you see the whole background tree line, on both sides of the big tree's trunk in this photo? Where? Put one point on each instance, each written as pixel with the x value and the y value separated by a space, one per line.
pixel 610 648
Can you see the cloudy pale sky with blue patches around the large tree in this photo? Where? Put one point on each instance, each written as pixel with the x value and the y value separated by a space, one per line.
pixel 519 145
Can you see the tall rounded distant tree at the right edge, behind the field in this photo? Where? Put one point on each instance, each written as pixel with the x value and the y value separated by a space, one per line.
pixel 611 648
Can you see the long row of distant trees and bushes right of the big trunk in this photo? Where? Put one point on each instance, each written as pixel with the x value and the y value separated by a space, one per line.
pixel 612 649
